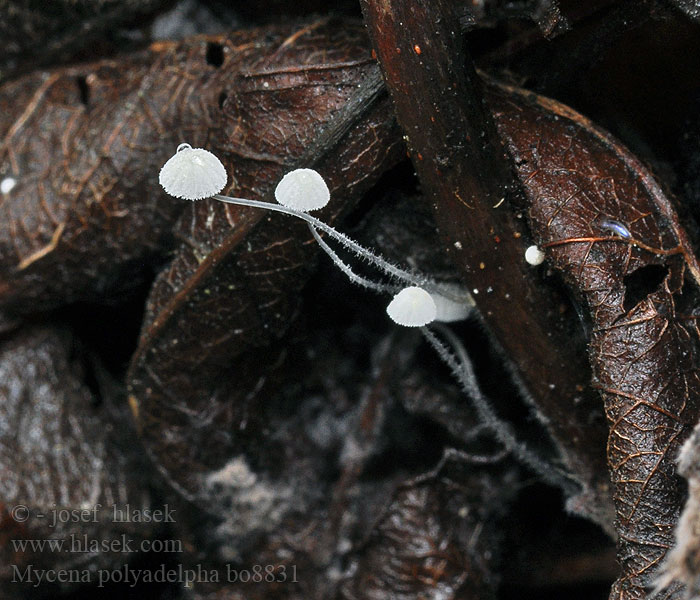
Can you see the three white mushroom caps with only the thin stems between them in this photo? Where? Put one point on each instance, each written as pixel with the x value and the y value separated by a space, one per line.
pixel 196 173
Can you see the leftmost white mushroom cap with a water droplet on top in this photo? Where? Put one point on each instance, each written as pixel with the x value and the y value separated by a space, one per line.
pixel 193 174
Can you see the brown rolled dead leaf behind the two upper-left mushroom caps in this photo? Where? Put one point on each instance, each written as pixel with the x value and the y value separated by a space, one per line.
pixel 83 145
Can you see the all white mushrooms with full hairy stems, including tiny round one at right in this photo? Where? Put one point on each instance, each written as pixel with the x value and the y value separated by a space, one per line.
pixel 195 173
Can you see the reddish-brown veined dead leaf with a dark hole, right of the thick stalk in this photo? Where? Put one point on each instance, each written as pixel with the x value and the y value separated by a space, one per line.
pixel 613 234
